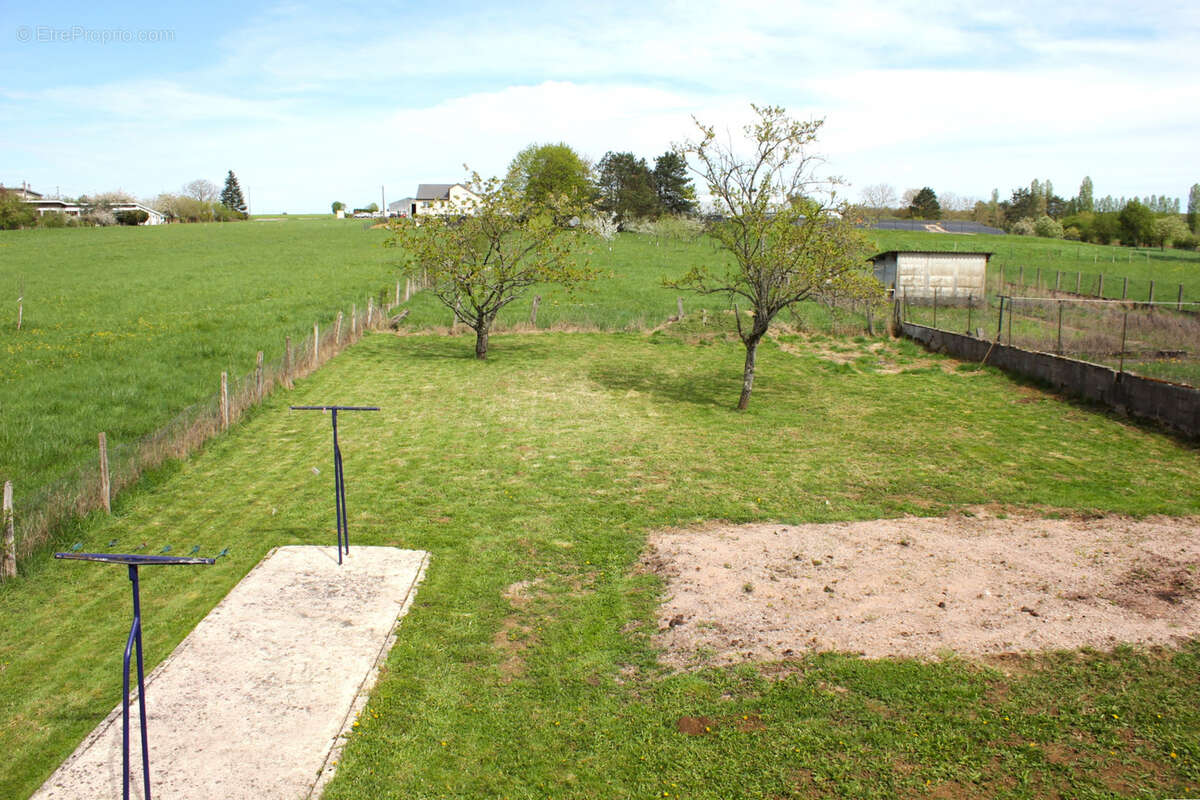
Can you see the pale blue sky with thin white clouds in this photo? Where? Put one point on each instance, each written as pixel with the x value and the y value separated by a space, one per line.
pixel 309 104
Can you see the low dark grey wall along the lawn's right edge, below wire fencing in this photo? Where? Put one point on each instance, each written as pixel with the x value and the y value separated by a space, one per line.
pixel 1172 405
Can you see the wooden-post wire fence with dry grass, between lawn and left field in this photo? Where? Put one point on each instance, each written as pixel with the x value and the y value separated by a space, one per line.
pixel 46 509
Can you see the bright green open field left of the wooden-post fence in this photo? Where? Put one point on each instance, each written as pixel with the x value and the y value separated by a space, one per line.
pixel 124 328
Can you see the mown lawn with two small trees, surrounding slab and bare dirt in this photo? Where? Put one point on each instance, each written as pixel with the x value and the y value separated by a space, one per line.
pixel 550 464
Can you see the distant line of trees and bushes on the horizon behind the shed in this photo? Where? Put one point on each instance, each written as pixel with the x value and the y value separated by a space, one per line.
pixel 1037 210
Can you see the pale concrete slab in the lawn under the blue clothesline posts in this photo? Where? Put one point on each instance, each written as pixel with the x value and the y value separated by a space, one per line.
pixel 254 703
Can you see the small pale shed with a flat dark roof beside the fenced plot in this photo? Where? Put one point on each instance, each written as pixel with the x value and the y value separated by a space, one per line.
pixel 917 274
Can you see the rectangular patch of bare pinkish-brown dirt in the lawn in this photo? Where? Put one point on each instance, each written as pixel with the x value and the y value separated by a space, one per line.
pixel 970 586
